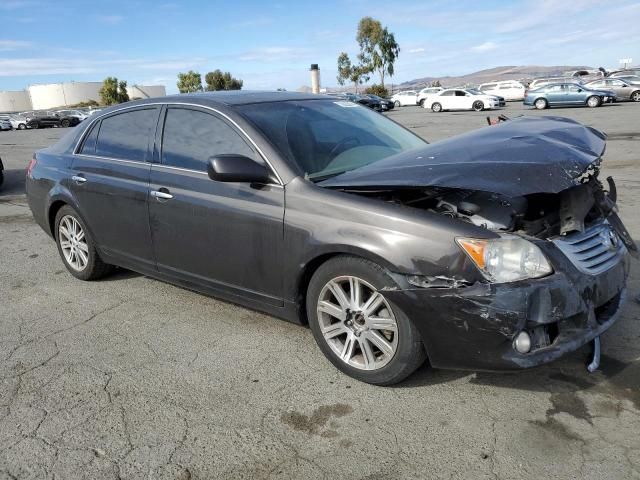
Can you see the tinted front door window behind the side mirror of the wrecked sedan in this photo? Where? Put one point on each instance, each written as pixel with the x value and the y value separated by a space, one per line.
pixel 191 137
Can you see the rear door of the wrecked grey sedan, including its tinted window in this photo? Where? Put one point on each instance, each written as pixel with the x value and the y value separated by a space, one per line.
pixel 111 184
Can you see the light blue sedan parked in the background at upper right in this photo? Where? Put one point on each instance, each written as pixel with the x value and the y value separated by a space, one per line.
pixel 567 94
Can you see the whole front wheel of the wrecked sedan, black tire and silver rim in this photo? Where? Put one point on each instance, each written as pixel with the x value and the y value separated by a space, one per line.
pixel 372 354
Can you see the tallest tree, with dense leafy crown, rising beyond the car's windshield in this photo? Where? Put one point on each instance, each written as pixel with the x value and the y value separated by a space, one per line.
pixel 378 47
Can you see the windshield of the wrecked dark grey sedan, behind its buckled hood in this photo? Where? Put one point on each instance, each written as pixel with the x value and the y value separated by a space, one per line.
pixel 328 137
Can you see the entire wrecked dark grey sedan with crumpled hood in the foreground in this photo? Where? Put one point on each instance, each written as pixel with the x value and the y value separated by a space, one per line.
pixel 498 249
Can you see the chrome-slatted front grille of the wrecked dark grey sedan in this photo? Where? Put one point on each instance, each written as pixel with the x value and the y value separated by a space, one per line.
pixel 593 251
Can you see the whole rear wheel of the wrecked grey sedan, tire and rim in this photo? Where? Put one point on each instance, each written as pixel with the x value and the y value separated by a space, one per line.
pixel 92 268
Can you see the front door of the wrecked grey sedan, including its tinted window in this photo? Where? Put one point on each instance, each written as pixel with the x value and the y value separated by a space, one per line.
pixel 225 236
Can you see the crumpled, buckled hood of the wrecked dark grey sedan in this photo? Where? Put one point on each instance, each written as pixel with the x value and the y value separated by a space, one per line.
pixel 518 157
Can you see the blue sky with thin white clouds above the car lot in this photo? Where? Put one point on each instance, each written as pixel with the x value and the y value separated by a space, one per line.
pixel 271 44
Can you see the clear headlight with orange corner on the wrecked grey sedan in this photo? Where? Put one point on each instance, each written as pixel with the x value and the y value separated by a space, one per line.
pixel 506 259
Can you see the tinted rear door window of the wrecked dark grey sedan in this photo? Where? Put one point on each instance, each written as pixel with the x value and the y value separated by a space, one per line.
pixel 126 135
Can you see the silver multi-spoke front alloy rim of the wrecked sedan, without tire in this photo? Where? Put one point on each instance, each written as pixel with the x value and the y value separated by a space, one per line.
pixel 357 323
